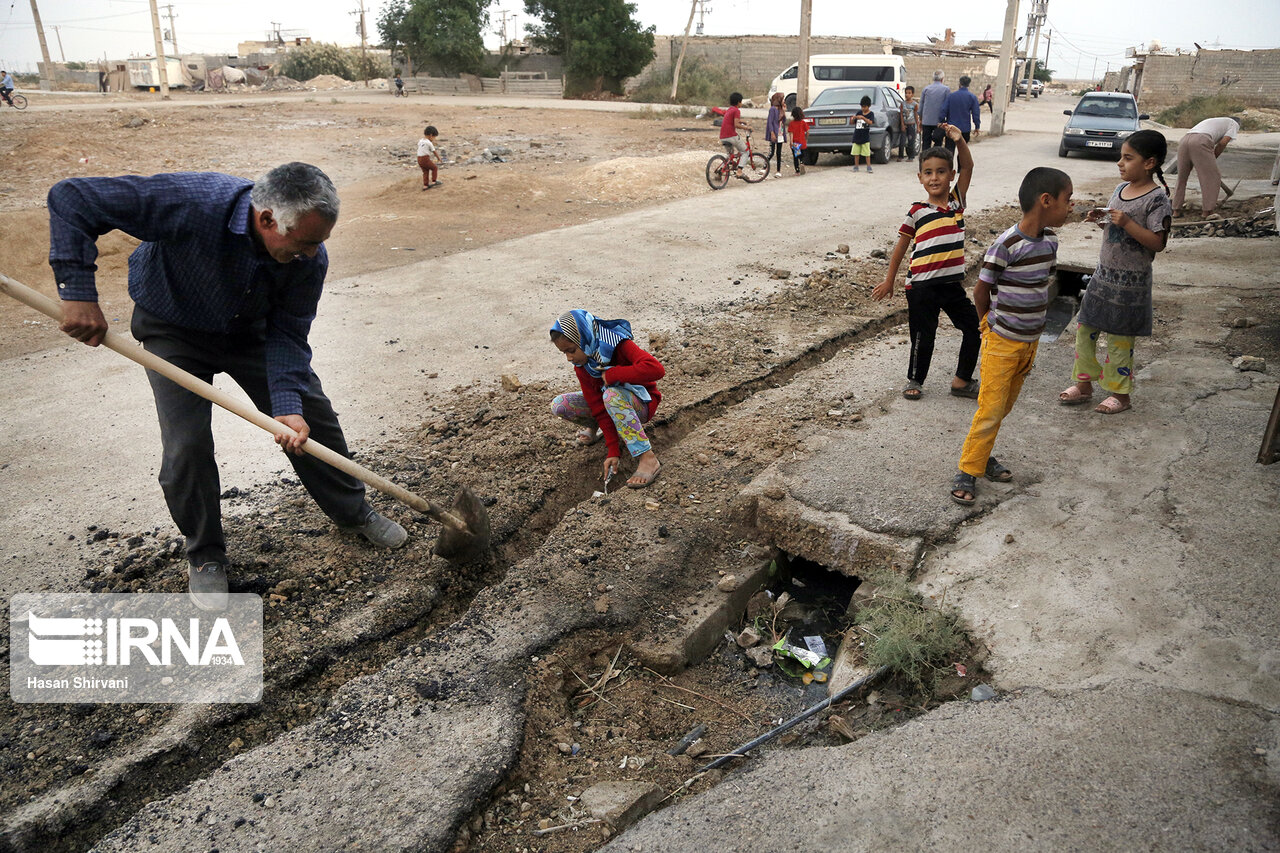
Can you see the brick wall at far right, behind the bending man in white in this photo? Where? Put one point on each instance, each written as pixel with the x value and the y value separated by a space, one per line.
pixel 1249 76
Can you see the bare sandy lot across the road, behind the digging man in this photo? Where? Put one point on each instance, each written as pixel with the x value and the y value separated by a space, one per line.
pixel 560 170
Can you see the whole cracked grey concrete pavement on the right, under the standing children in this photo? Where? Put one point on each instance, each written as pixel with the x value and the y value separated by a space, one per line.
pixel 1122 583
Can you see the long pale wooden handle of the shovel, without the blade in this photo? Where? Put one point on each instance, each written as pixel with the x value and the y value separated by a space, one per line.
pixel 132 350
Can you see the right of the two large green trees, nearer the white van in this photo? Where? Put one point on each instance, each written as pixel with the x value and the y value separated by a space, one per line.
pixel 600 40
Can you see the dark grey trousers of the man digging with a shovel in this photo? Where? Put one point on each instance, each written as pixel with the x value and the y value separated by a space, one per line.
pixel 189 472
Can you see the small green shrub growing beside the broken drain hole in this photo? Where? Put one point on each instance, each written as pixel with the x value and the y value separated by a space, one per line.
pixel 904 633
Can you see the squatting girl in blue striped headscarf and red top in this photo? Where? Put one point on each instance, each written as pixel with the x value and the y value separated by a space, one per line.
pixel 620 390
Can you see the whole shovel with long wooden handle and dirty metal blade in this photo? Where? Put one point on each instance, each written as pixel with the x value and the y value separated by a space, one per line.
pixel 467 523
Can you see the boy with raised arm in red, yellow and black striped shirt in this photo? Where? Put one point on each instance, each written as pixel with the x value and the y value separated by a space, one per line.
pixel 935 279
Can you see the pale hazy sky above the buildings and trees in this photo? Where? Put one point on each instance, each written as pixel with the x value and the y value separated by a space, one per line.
pixel 1087 34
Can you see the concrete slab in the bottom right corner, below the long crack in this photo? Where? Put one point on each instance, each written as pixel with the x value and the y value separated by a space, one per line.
pixel 1108 769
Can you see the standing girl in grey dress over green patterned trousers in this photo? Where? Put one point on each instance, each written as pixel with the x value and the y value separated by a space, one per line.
pixel 1118 300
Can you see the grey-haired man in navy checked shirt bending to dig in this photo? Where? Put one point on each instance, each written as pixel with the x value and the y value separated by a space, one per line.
pixel 226 281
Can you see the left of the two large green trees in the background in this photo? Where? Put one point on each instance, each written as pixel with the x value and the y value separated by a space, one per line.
pixel 442 37
